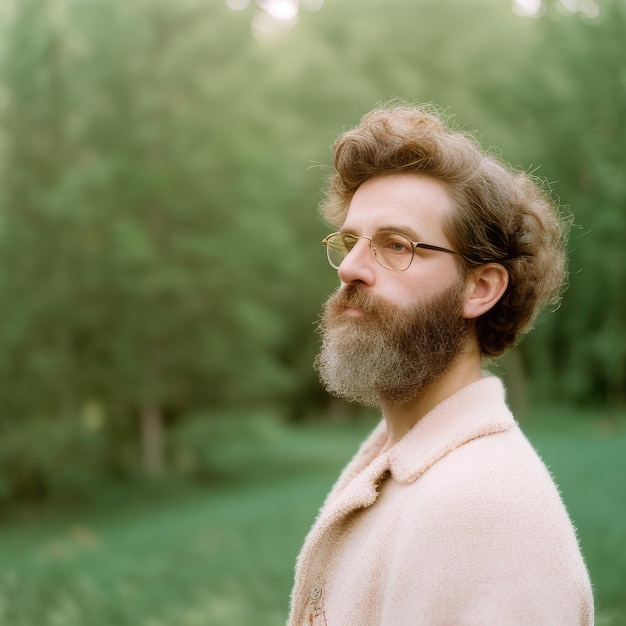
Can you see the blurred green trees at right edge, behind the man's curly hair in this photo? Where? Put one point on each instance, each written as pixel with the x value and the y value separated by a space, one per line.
pixel 569 108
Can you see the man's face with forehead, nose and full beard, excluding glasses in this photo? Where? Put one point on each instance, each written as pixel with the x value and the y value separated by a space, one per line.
pixel 388 335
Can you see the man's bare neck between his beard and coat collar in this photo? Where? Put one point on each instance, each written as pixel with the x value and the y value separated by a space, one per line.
pixel 400 419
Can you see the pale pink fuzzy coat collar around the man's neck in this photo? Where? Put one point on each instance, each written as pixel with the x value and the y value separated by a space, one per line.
pixel 475 411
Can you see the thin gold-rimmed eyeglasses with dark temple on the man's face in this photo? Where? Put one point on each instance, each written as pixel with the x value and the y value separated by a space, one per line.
pixel 391 250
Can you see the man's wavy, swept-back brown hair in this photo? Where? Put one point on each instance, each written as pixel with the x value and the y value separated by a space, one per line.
pixel 500 214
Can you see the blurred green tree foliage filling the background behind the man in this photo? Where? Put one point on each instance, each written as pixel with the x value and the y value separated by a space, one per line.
pixel 160 171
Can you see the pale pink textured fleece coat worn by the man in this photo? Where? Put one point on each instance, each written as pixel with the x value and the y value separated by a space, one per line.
pixel 460 523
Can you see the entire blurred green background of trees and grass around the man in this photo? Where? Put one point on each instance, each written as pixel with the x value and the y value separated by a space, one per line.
pixel 164 442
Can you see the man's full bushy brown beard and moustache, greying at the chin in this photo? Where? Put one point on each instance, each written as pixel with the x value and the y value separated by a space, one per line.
pixel 389 355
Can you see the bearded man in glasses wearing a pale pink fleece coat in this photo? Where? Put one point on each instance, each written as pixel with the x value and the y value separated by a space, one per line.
pixel 446 515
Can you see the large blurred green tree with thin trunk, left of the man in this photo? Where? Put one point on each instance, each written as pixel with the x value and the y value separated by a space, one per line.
pixel 126 185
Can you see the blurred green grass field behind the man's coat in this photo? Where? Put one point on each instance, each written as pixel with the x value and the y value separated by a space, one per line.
pixel 224 554
